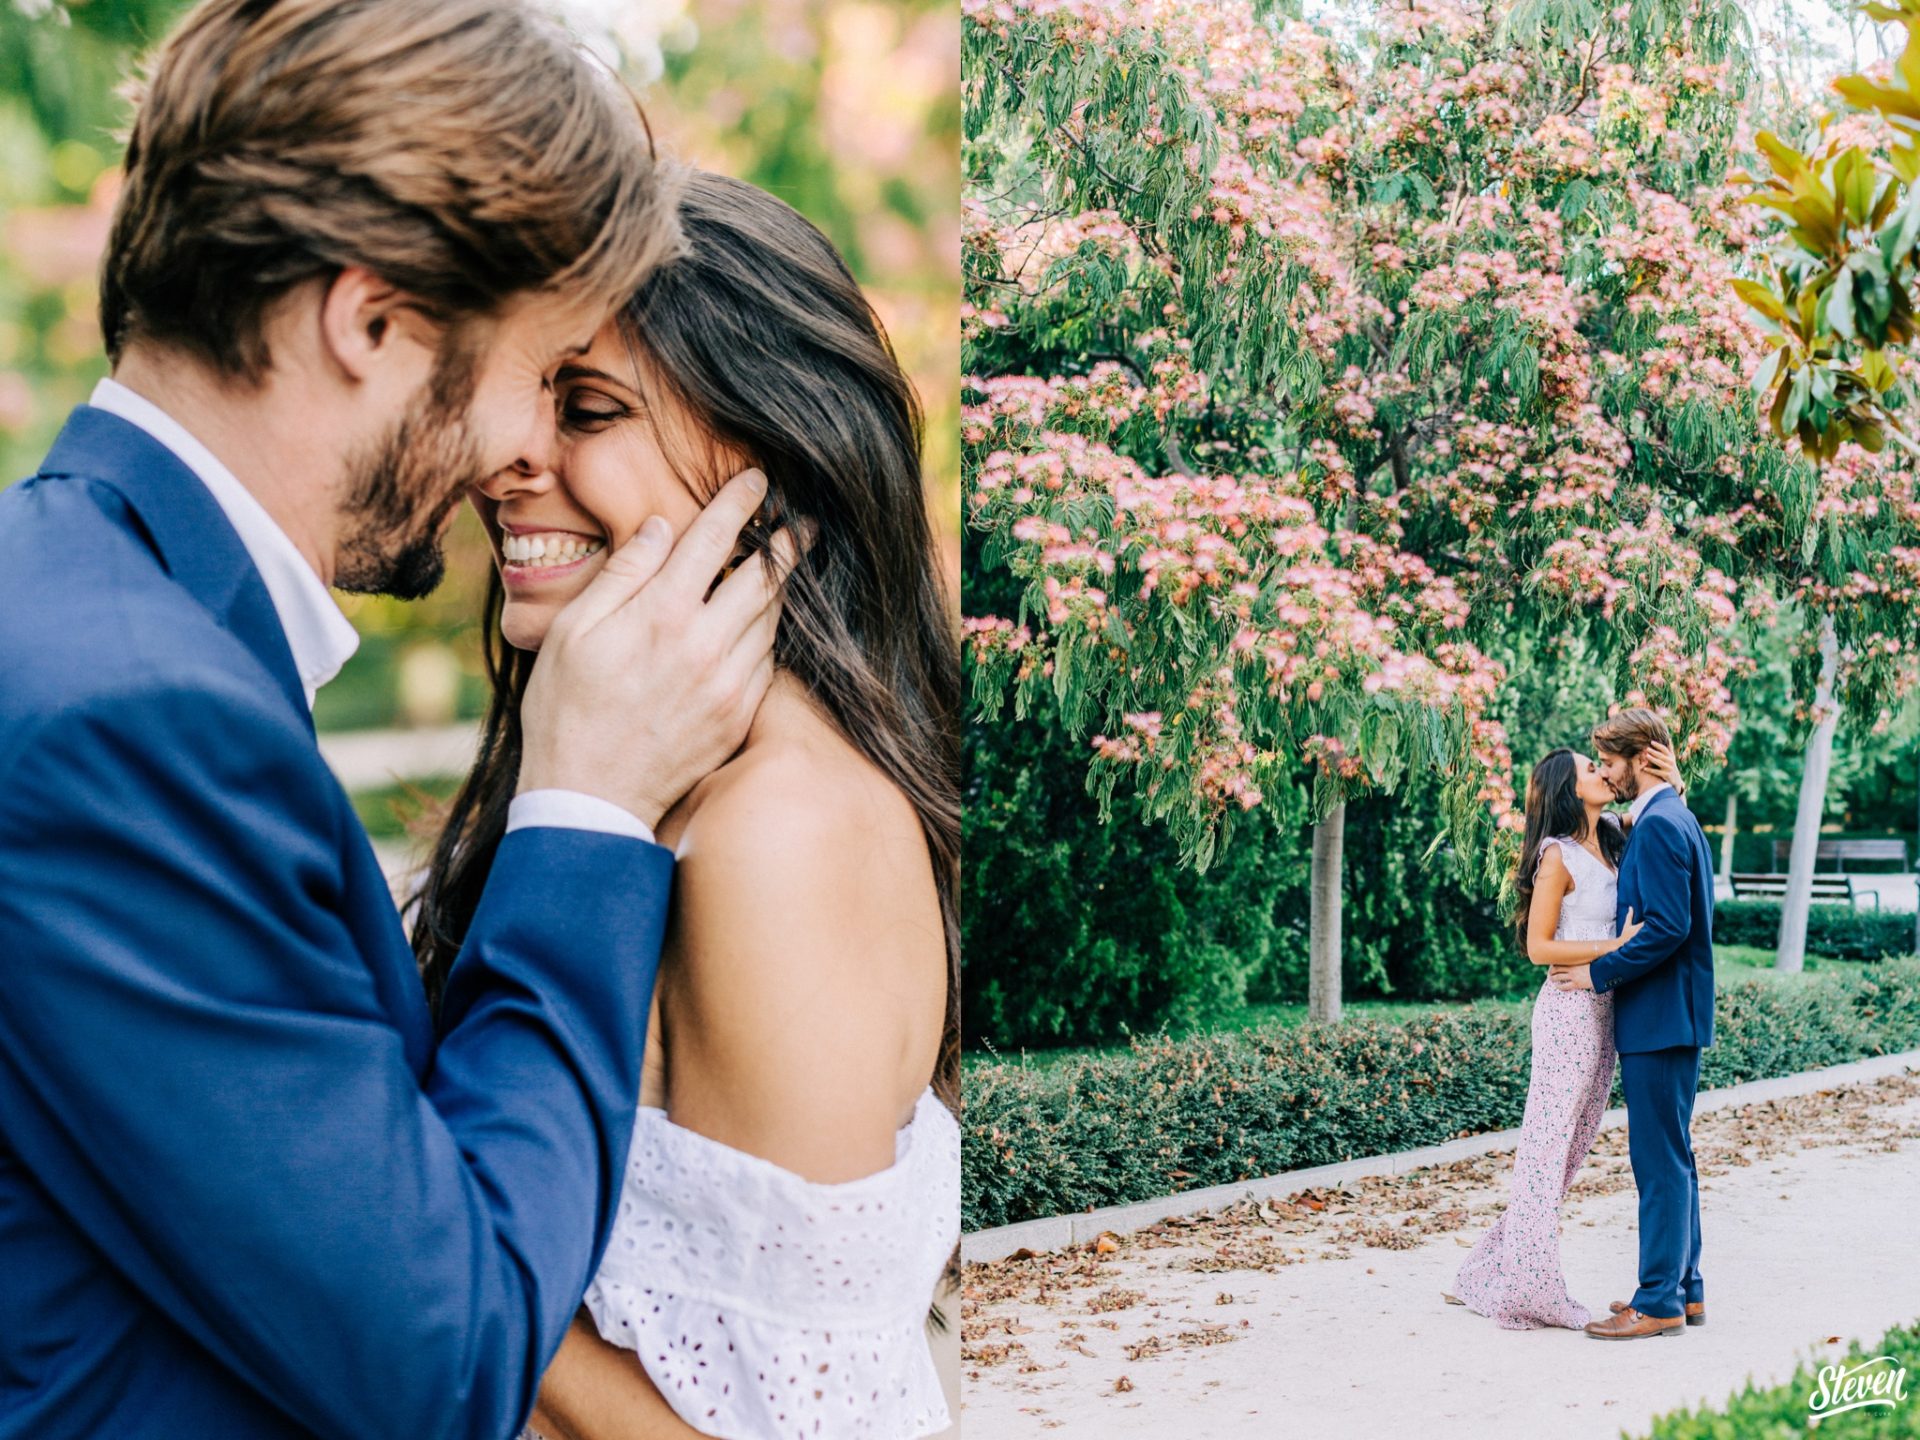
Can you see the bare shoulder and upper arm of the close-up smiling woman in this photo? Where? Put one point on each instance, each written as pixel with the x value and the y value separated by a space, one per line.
pixel 809 959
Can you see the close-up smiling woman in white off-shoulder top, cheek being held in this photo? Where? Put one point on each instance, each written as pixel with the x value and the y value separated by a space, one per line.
pixel 804 1040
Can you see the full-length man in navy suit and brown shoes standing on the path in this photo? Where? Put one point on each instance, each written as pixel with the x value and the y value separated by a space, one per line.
pixel 1662 986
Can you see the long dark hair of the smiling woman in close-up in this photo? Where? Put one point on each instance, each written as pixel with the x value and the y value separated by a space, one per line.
pixel 765 337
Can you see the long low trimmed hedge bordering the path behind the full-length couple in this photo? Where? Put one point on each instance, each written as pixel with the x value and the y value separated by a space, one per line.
pixel 1170 1116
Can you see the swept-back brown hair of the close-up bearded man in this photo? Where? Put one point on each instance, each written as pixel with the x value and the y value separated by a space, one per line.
pixel 464 151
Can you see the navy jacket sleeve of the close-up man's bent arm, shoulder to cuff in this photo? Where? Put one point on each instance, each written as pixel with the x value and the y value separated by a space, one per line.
pixel 199 1067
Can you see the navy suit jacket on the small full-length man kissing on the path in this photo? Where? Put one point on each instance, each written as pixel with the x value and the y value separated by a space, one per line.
pixel 1662 980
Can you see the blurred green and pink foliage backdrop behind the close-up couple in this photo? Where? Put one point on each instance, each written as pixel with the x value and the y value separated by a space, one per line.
pixel 846 108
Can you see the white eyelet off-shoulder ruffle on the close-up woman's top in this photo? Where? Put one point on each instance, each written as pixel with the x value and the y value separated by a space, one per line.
pixel 769 1307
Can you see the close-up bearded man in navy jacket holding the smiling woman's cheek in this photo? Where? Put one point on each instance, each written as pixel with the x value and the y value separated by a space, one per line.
pixel 249 1184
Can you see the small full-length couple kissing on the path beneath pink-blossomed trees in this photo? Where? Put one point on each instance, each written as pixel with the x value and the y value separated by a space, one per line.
pixel 1621 919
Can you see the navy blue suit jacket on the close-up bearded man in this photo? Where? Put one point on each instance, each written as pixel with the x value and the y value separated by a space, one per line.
pixel 247 1189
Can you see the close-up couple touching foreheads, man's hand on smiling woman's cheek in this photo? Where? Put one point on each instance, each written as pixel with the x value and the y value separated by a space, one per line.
pixel 648 1128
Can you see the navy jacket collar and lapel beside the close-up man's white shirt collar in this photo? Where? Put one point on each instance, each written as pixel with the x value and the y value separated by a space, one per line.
pixel 187 527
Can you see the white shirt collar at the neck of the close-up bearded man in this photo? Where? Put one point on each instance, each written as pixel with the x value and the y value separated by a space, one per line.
pixel 320 636
